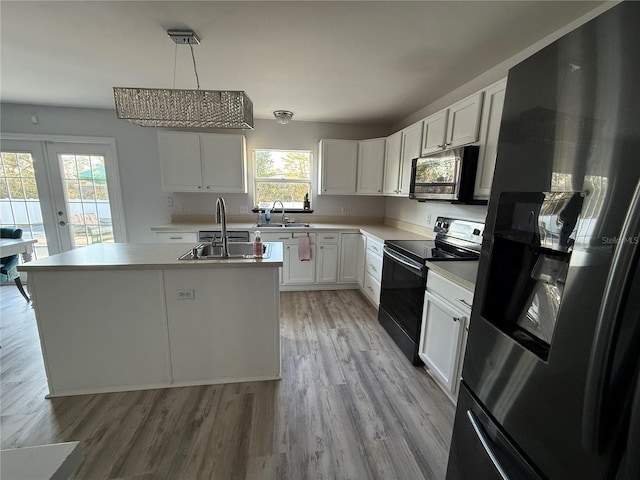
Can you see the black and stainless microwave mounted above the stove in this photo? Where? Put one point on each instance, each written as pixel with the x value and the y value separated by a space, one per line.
pixel 449 175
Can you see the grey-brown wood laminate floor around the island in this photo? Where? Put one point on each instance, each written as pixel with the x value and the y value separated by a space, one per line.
pixel 349 406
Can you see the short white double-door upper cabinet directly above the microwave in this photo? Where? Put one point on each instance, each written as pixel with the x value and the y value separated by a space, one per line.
pixel 454 126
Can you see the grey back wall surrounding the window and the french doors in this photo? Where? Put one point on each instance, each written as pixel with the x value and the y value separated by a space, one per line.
pixel 143 199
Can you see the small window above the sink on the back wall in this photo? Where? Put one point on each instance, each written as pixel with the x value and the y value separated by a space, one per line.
pixel 282 175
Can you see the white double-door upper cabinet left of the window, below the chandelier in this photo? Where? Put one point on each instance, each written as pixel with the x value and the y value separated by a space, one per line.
pixel 202 162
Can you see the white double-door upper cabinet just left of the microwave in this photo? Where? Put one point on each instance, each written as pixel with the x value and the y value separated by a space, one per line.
pixel 402 147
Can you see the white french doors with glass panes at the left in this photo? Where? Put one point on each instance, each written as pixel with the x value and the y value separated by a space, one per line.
pixel 65 194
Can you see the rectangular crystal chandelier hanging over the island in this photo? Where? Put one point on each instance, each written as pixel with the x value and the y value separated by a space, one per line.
pixel 160 107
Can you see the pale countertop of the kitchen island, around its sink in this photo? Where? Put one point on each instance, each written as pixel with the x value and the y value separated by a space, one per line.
pixel 145 256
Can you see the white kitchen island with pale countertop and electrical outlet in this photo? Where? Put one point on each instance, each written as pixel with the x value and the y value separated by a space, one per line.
pixel 116 317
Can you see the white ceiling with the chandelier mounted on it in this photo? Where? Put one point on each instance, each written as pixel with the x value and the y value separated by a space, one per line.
pixel 363 62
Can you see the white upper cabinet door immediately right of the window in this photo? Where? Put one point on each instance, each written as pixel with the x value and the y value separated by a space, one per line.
pixel 338 166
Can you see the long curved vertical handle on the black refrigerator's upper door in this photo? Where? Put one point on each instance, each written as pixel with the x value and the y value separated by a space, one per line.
pixel 601 357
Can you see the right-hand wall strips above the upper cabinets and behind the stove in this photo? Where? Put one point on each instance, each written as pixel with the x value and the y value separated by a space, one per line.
pixel 411 211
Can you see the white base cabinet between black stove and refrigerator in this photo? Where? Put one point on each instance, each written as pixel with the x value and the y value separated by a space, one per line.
pixel 447 309
